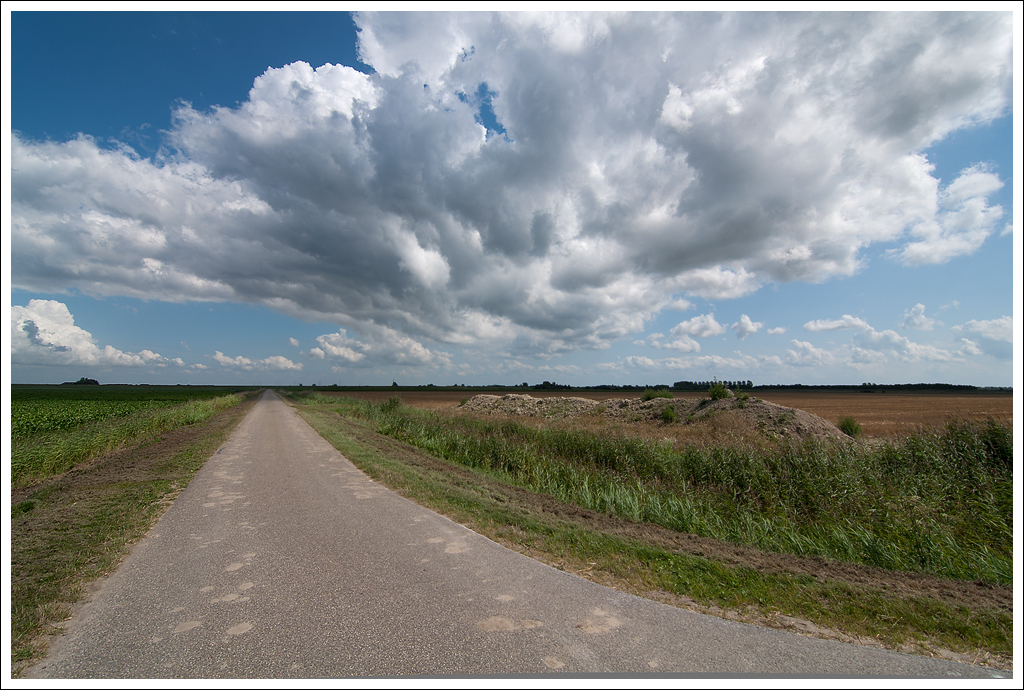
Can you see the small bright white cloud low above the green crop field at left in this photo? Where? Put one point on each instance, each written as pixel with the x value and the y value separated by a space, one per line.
pixel 45 333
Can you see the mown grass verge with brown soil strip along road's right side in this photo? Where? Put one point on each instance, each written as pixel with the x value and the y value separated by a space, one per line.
pixel 869 607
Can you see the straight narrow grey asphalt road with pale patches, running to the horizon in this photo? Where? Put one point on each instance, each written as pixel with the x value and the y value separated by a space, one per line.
pixel 281 559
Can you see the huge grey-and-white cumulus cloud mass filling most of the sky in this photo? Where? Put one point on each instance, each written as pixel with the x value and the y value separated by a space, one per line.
pixel 545 182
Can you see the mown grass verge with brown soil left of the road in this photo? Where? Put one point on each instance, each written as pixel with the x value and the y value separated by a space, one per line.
pixel 71 530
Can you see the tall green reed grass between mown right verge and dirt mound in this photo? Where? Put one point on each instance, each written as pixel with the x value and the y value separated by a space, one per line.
pixel 940 501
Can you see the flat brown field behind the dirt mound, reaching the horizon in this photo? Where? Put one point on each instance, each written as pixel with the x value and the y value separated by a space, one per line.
pixel 880 415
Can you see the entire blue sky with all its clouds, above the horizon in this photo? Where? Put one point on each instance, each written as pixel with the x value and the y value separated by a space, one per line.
pixel 325 198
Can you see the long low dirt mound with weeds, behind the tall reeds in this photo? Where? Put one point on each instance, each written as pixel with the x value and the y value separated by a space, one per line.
pixel 776 422
